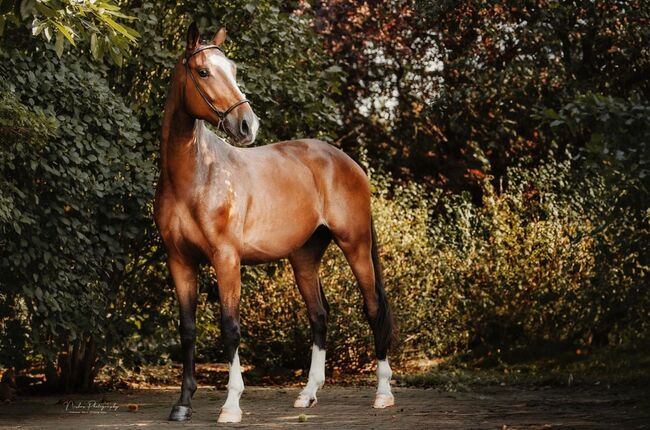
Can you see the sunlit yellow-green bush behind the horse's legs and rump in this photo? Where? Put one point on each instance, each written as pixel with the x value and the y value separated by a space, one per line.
pixel 530 268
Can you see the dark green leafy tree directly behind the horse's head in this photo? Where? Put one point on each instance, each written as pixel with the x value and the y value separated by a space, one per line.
pixel 281 66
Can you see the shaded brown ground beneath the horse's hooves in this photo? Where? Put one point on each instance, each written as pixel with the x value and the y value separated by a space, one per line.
pixel 345 407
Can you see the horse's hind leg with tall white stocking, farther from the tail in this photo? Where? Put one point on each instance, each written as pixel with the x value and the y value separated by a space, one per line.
pixel 305 263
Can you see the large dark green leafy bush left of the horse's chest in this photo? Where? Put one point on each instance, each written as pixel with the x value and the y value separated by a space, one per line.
pixel 79 207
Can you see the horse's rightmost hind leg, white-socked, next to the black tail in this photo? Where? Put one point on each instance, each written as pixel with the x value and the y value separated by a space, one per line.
pixel 360 250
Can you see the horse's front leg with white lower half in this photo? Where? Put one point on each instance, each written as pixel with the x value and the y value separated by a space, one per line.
pixel 227 265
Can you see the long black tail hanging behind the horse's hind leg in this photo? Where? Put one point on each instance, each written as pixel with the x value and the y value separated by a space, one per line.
pixel 384 324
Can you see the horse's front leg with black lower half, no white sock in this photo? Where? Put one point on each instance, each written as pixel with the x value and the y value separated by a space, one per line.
pixel 184 276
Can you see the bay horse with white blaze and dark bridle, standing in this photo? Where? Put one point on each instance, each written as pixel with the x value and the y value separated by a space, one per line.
pixel 231 206
